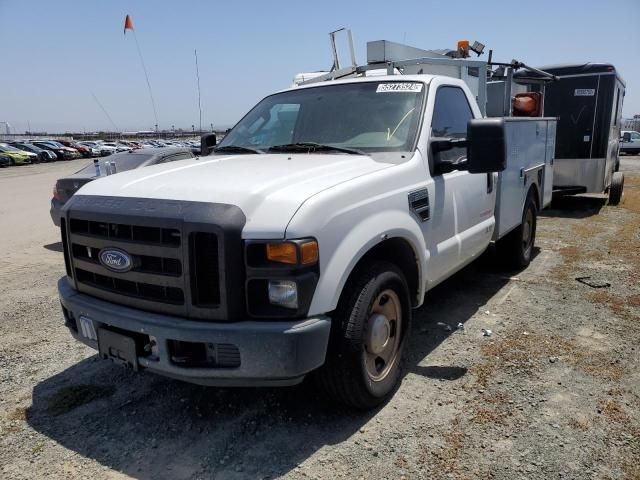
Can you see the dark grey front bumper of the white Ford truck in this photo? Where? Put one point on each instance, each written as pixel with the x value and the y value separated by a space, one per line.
pixel 272 353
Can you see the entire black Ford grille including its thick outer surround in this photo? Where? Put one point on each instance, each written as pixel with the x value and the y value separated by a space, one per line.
pixel 176 255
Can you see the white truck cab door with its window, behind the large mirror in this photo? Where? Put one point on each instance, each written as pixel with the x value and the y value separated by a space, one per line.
pixel 463 203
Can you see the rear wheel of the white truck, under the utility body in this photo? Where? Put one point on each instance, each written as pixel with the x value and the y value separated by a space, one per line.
pixel 516 248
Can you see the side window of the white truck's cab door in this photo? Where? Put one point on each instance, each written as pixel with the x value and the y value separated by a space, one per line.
pixel 451 113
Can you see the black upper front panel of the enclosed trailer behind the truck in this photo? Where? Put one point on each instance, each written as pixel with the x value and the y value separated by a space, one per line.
pixel 573 101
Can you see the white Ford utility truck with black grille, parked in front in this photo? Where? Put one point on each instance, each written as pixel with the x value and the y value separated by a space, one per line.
pixel 303 241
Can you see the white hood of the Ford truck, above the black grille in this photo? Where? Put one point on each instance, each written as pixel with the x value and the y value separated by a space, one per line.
pixel 268 188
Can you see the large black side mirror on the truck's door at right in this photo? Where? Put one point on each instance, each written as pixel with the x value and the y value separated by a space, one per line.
pixel 486 146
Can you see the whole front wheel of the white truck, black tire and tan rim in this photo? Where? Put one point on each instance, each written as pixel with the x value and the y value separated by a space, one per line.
pixel 368 336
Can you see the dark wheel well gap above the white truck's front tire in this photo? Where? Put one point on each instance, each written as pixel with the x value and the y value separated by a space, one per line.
pixel 399 252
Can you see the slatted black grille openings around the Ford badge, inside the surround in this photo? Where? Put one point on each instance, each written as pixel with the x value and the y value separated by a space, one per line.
pixel 158 280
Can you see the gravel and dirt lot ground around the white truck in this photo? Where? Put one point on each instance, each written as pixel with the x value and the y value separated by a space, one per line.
pixel 553 393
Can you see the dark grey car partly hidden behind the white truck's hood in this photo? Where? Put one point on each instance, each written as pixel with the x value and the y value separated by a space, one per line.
pixel 66 187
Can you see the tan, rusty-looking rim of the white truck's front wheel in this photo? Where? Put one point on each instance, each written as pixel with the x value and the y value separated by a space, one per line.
pixel 383 334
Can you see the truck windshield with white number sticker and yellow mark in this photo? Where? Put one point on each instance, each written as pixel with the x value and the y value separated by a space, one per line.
pixel 364 116
